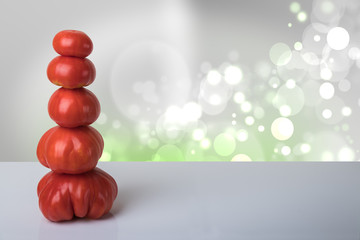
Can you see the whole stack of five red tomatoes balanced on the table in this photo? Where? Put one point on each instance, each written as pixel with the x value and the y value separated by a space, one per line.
pixel 74 187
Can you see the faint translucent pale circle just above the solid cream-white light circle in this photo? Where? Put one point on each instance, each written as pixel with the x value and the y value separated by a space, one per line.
pixel 293 99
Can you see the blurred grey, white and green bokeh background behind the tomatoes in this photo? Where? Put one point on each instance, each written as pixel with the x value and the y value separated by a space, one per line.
pixel 193 80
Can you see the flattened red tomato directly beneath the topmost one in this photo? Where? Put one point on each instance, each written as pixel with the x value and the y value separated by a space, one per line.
pixel 71 72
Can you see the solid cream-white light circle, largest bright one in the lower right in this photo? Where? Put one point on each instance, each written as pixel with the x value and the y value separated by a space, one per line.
pixel 282 128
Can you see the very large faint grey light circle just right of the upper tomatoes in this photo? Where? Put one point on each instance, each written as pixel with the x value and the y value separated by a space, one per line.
pixel 146 78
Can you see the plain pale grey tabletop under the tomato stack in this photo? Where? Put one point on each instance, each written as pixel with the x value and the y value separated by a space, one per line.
pixel 202 201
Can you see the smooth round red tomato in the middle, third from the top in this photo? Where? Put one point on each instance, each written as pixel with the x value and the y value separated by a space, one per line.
pixel 73 107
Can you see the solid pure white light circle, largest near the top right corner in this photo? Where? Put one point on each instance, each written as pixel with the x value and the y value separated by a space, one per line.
pixel 338 38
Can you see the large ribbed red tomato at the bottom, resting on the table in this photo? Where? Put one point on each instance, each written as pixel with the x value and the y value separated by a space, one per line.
pixel 63 196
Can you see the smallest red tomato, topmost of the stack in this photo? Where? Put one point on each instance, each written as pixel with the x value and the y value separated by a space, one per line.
pixel 72 43
